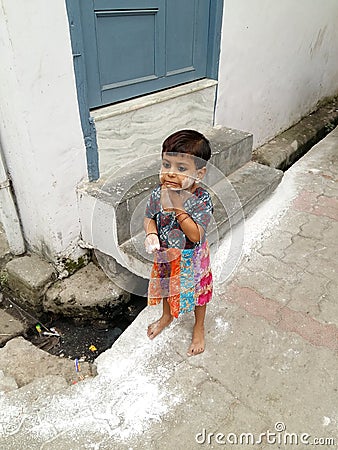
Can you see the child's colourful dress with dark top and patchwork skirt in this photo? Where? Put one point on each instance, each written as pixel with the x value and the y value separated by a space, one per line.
pixel 181 271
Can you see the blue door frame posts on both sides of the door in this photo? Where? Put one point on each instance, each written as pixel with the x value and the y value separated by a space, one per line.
pixel 76 36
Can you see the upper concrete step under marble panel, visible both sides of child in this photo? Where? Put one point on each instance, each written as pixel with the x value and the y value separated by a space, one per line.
pixel 112 208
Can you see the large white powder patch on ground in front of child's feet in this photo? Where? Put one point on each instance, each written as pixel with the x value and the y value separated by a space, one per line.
pixel 123 401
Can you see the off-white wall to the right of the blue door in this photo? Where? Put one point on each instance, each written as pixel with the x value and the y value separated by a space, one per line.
pixel 278 58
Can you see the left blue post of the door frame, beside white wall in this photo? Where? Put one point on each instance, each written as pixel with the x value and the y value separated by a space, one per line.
pixel 87 122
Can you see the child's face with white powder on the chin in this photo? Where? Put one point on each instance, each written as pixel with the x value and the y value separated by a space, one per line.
pixel 178 171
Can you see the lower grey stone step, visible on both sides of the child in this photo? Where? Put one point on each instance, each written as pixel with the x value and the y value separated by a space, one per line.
pixel 234 198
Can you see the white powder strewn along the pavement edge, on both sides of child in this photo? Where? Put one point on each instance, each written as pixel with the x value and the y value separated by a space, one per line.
pixel 129 394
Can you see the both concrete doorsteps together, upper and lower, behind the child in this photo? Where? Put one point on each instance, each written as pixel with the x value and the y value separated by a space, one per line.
pixel 112 209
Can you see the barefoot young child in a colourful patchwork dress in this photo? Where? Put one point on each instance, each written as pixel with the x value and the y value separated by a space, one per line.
pixel 176 219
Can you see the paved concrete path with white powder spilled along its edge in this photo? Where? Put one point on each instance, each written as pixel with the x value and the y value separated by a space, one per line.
pixel 269 372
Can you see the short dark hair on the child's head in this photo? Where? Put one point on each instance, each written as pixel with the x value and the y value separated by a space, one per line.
pixel 190 142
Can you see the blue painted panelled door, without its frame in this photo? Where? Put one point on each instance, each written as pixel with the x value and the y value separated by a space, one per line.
pixel 134 47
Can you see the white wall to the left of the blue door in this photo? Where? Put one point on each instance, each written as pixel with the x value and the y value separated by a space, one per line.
pixel 40 128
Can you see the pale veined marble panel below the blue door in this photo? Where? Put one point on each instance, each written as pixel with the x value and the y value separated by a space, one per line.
pixel 138 127
